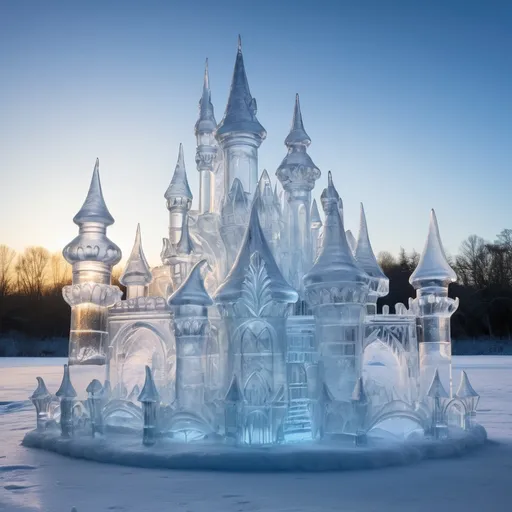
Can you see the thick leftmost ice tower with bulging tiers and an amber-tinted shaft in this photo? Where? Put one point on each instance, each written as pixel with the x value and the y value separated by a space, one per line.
pixel 92 256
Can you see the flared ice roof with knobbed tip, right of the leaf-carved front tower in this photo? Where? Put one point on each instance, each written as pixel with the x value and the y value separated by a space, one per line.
pixel 335 261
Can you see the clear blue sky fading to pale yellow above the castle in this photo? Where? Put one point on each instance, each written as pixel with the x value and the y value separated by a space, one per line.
pixel 409 103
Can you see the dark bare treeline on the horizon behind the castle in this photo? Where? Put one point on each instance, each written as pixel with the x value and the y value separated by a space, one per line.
pixel 32 307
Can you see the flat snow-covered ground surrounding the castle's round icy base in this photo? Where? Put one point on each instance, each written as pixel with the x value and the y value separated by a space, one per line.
pixel 35 480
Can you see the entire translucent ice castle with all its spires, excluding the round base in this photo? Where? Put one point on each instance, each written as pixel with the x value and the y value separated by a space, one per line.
pixel 260 326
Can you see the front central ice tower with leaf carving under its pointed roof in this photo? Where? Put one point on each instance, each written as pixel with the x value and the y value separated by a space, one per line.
pixel 254 301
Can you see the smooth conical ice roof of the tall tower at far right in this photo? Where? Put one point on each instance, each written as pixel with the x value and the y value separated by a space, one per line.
pixel 433 265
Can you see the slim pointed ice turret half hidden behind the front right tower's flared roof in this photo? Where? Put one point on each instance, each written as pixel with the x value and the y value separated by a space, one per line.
pixel 379 282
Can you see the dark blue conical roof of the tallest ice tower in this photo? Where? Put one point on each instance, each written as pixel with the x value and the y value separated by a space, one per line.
pixel 240 114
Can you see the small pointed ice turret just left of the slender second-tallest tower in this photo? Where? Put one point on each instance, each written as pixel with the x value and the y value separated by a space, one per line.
pixel 179 199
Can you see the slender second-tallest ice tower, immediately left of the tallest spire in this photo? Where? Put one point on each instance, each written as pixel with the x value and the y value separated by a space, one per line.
pixel 206 150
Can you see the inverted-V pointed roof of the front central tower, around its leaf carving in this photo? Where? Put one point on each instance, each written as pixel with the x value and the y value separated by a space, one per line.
pixel 254 241
